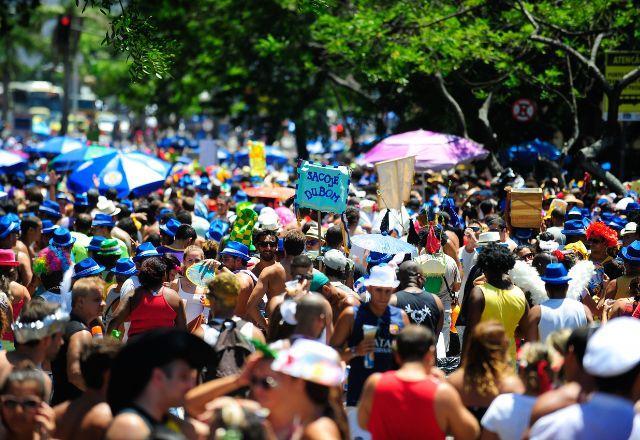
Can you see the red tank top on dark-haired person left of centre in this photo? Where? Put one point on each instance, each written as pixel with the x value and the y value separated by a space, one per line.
pixel 153 311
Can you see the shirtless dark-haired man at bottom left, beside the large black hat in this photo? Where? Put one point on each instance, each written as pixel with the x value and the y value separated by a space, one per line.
pixel 89 415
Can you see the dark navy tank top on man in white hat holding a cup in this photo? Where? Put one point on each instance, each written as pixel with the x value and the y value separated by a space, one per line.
pixel 389 325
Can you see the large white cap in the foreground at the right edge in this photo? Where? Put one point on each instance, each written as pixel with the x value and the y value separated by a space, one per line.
pixel 614 349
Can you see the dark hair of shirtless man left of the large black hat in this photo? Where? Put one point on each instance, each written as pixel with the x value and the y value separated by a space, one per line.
pixel 96 359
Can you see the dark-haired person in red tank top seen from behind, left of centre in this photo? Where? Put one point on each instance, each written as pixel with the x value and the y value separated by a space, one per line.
pixel 152 305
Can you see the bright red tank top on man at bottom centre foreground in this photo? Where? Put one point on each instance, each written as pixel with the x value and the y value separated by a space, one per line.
pixel 397 403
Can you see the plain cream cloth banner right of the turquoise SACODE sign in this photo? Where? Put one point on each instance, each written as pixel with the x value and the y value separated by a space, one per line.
pixel 395 179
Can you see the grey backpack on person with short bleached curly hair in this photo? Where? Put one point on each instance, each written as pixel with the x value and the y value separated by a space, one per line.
pixel 230 350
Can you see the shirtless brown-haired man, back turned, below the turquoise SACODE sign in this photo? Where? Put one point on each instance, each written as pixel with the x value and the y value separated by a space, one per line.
pixel 272 279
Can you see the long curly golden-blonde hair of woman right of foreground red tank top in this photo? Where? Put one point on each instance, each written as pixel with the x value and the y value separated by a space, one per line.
pixel 486 361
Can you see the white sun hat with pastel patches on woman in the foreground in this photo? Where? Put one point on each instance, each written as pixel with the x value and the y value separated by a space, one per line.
pixel 312 361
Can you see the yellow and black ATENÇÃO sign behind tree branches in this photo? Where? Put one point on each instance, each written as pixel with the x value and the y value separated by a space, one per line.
pixel 618 64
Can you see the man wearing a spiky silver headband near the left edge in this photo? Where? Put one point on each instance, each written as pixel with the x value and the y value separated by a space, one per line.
pixel 38 335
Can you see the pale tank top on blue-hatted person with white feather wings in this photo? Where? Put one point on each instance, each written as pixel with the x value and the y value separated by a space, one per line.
pixel 560 313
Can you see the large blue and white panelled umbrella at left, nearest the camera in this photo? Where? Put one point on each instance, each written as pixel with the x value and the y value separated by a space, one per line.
pixel 134 172
